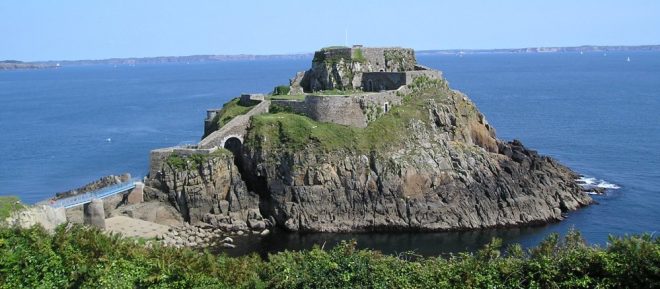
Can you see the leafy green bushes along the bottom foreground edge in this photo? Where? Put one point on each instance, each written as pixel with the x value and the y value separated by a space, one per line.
pixel 78 257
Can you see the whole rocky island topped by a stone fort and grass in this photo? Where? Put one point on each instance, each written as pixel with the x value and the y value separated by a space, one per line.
pixel 367 139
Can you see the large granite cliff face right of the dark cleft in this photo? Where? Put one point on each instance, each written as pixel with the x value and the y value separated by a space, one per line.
pixel 449 172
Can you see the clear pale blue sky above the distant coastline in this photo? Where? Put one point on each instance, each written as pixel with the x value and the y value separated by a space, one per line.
pixel 71 29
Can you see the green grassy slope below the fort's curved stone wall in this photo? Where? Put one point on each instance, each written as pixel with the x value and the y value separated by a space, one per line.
pixel 285 131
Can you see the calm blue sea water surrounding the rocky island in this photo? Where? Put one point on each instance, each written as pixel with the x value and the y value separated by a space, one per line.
pixel 597 114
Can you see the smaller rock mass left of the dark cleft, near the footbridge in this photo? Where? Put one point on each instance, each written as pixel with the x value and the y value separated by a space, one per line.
pixel 208 189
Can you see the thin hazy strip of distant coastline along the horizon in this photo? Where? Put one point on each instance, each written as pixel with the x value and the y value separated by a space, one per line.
pixel 13 64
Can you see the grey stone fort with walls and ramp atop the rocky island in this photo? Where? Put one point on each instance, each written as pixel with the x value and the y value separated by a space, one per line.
pixel 350 86
